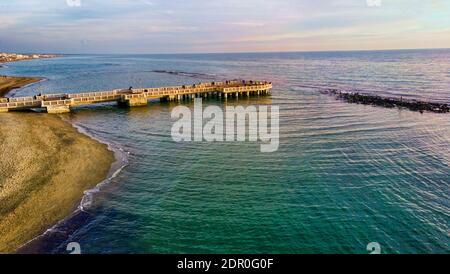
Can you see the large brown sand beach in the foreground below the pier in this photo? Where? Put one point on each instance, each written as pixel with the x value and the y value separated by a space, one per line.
pixel 45 165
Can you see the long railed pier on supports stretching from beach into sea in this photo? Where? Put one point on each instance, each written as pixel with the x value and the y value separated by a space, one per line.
pixel 61 103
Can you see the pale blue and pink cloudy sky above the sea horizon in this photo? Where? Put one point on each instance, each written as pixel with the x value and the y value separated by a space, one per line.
pixel 200 26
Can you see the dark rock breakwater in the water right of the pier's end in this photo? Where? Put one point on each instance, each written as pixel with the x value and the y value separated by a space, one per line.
pixel 414 105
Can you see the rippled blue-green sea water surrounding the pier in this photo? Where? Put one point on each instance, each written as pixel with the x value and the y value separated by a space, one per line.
pixel 344 174
